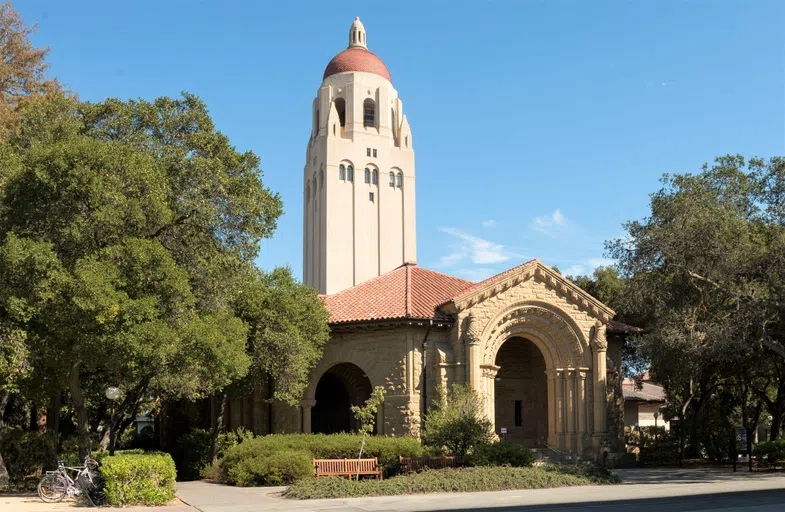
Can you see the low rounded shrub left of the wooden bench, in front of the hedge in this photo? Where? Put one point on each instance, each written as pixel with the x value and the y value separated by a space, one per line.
pixel 280 468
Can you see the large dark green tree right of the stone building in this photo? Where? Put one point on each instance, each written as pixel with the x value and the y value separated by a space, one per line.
pixel 707 271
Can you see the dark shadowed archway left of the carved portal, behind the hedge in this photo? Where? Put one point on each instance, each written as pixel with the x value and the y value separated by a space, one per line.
pixel 339 388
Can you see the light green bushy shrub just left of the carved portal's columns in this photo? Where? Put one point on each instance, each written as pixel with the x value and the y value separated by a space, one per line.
pixel 456 424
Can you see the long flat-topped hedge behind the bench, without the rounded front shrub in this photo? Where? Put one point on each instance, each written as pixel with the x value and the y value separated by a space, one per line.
pixel 319 446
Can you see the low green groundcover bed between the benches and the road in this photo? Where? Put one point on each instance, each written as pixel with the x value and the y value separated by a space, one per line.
pixel 453 480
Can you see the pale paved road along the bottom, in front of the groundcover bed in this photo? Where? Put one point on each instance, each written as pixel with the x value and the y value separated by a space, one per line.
pixel 646 490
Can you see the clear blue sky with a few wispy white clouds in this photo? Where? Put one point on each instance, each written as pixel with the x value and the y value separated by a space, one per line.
pixel 539 127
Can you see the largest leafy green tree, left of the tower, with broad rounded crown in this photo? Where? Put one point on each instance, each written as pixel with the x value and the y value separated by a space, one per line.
pixel 151 214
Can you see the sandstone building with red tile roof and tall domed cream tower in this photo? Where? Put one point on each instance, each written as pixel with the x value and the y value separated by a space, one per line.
pixel 543 354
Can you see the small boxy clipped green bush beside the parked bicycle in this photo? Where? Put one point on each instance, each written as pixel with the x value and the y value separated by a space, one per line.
pixel 139 479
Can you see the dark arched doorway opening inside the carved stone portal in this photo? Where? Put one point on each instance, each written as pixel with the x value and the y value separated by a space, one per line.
pixel 521 393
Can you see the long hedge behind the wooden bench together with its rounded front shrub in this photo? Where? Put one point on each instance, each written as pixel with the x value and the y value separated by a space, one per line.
pixel 243 464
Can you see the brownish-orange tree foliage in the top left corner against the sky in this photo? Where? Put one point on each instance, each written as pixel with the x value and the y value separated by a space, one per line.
pixel 23 70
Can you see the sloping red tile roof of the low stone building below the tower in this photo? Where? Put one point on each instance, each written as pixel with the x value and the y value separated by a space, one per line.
pixel 408 291
